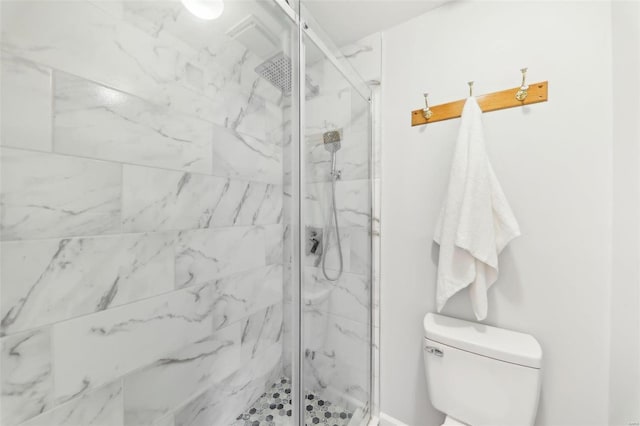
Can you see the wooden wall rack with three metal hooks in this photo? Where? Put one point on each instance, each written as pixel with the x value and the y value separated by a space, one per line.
pixel 510 98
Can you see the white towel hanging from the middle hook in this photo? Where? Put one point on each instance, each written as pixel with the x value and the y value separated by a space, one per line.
pixel 476 222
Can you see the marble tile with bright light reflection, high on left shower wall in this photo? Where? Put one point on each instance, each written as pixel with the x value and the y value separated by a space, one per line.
pixel 95 121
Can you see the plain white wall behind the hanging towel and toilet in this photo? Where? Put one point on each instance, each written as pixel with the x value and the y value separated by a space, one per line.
pixel 554 161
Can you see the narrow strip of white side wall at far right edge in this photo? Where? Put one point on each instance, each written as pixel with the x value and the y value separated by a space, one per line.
pixel 625 292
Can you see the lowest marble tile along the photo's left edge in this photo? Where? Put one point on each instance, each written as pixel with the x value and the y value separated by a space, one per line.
pixel 26 383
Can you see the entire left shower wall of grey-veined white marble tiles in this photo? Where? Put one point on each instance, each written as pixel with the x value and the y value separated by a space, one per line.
pixel 141 222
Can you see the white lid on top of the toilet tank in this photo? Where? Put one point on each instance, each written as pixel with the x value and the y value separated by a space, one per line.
pixel 493 342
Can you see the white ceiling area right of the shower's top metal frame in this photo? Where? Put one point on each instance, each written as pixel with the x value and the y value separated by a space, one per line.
pixel 346 21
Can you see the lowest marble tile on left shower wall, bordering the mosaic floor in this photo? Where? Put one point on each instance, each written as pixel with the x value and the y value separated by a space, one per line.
pixel 220 405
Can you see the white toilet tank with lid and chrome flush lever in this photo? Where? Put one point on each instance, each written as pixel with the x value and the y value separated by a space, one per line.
pixel 481 375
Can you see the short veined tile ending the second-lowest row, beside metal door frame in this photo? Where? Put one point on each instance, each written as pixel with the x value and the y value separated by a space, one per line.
pixel 260 331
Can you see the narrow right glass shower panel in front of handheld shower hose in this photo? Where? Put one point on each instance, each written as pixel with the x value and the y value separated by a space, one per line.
pixel 336 263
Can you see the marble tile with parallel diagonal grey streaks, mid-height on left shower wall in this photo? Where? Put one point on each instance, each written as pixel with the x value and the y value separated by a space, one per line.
pixel 157 199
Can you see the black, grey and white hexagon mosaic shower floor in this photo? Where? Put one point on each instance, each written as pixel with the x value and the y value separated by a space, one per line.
pixel 274 409
